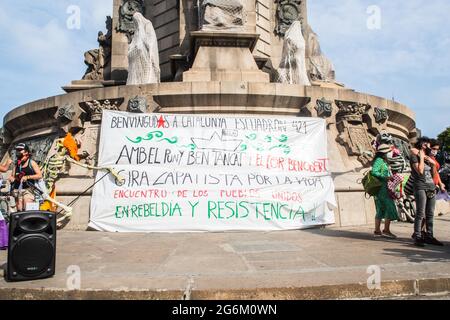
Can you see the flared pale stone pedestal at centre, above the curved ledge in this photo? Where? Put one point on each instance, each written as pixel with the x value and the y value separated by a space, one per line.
pixel 224 56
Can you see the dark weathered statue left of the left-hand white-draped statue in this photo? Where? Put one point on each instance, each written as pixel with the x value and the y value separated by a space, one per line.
pixel 98 59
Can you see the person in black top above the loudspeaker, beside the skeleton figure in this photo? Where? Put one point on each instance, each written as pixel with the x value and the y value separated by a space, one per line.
pixel 25 172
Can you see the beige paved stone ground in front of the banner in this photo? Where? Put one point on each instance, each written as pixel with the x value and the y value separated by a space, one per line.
pixel 308 264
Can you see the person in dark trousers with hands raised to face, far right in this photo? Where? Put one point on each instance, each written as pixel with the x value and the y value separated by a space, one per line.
pixel 423 170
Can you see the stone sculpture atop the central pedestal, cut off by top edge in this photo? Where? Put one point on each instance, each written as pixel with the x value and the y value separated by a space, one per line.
pixel 221 14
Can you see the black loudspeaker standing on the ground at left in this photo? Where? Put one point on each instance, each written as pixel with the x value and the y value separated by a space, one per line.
pixel 32 246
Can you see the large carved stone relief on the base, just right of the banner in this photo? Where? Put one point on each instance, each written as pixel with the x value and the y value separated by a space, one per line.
pixel 353 132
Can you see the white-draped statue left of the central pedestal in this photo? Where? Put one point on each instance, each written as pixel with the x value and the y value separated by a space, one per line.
pixel 143 55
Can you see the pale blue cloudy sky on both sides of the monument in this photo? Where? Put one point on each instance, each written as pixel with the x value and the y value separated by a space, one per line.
pixel 395 49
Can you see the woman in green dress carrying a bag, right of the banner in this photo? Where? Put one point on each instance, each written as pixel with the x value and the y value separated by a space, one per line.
pixel 384 204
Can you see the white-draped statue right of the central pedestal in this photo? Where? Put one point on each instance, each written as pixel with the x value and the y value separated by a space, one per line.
pixel 292 68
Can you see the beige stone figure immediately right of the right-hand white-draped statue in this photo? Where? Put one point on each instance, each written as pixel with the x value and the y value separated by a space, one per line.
pixel 320 68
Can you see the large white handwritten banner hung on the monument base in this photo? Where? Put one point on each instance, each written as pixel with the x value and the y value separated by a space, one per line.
pixel 212 173
